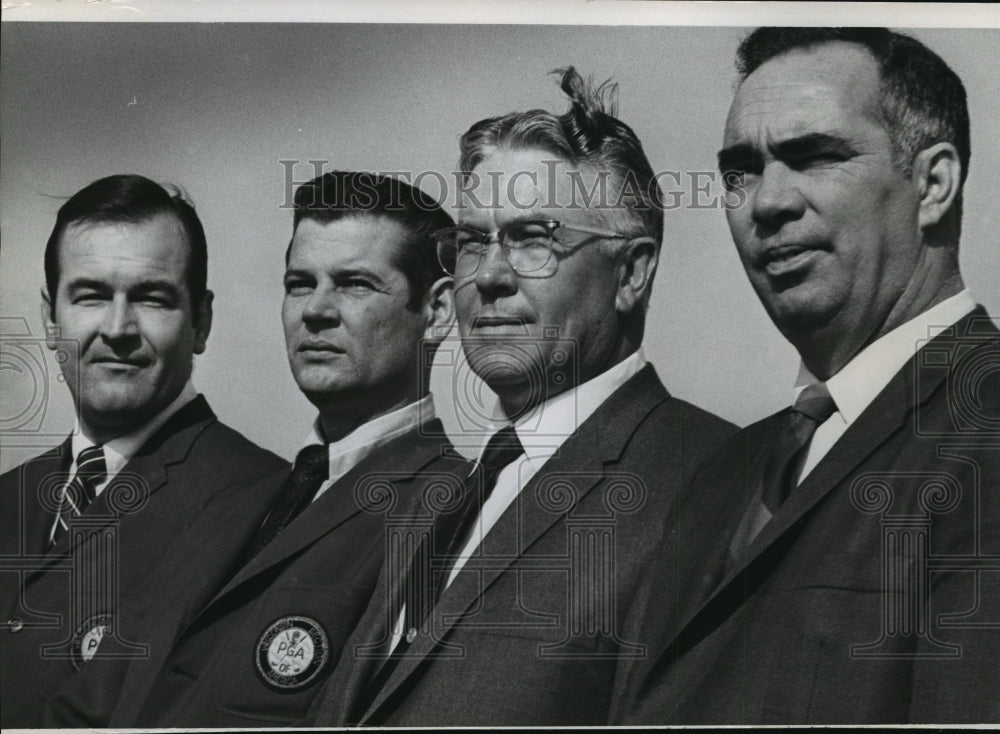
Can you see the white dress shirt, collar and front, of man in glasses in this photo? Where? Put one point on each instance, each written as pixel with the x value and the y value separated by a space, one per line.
pixel 542 432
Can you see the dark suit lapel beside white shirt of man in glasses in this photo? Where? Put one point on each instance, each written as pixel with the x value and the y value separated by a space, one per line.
pixel 599 441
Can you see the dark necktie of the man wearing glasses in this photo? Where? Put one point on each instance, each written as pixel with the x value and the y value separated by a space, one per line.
pixel 422 585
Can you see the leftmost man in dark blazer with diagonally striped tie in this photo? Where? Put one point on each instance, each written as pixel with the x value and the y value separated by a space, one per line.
pixel 85 524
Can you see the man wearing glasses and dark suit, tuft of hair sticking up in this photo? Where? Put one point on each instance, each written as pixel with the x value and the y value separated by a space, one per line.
pixel 526 595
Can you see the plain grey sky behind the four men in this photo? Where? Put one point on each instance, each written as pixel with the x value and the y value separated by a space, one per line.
pixel 214 107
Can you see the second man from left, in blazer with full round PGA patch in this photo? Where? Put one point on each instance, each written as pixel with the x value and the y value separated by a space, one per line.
pixel 273 603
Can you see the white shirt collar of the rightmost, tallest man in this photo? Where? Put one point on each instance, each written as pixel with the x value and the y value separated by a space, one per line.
pixel 858 382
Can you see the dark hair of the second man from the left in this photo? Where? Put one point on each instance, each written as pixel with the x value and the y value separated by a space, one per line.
pixel 342 194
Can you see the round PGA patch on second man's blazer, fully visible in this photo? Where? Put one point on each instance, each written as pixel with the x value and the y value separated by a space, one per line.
pixel 291 652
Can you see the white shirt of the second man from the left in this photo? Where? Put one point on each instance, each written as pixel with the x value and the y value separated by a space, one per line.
pixel 348 452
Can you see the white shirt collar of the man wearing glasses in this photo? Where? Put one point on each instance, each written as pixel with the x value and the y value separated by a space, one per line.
pixel 544 429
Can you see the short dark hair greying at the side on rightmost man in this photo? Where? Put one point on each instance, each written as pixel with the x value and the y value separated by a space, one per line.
pixel 922 99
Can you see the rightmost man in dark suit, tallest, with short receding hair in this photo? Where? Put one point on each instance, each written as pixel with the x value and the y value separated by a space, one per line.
pixel 870 592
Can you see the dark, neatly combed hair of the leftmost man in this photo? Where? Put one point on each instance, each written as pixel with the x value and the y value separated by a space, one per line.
pixel 130 199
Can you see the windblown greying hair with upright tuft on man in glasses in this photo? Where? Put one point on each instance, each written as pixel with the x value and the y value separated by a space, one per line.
pixel 587 133
